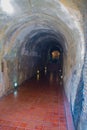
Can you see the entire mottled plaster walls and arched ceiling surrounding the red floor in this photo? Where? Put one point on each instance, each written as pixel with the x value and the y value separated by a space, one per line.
pixel 30 32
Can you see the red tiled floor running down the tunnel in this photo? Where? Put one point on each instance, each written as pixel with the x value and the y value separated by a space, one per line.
pixel 37 105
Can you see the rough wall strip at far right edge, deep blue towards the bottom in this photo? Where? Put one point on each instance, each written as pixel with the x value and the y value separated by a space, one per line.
pixel 80 104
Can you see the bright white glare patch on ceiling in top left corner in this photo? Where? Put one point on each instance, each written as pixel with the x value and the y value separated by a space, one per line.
pixel 7 6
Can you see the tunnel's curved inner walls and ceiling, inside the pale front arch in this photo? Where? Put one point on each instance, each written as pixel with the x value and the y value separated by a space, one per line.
pixel 28 42
